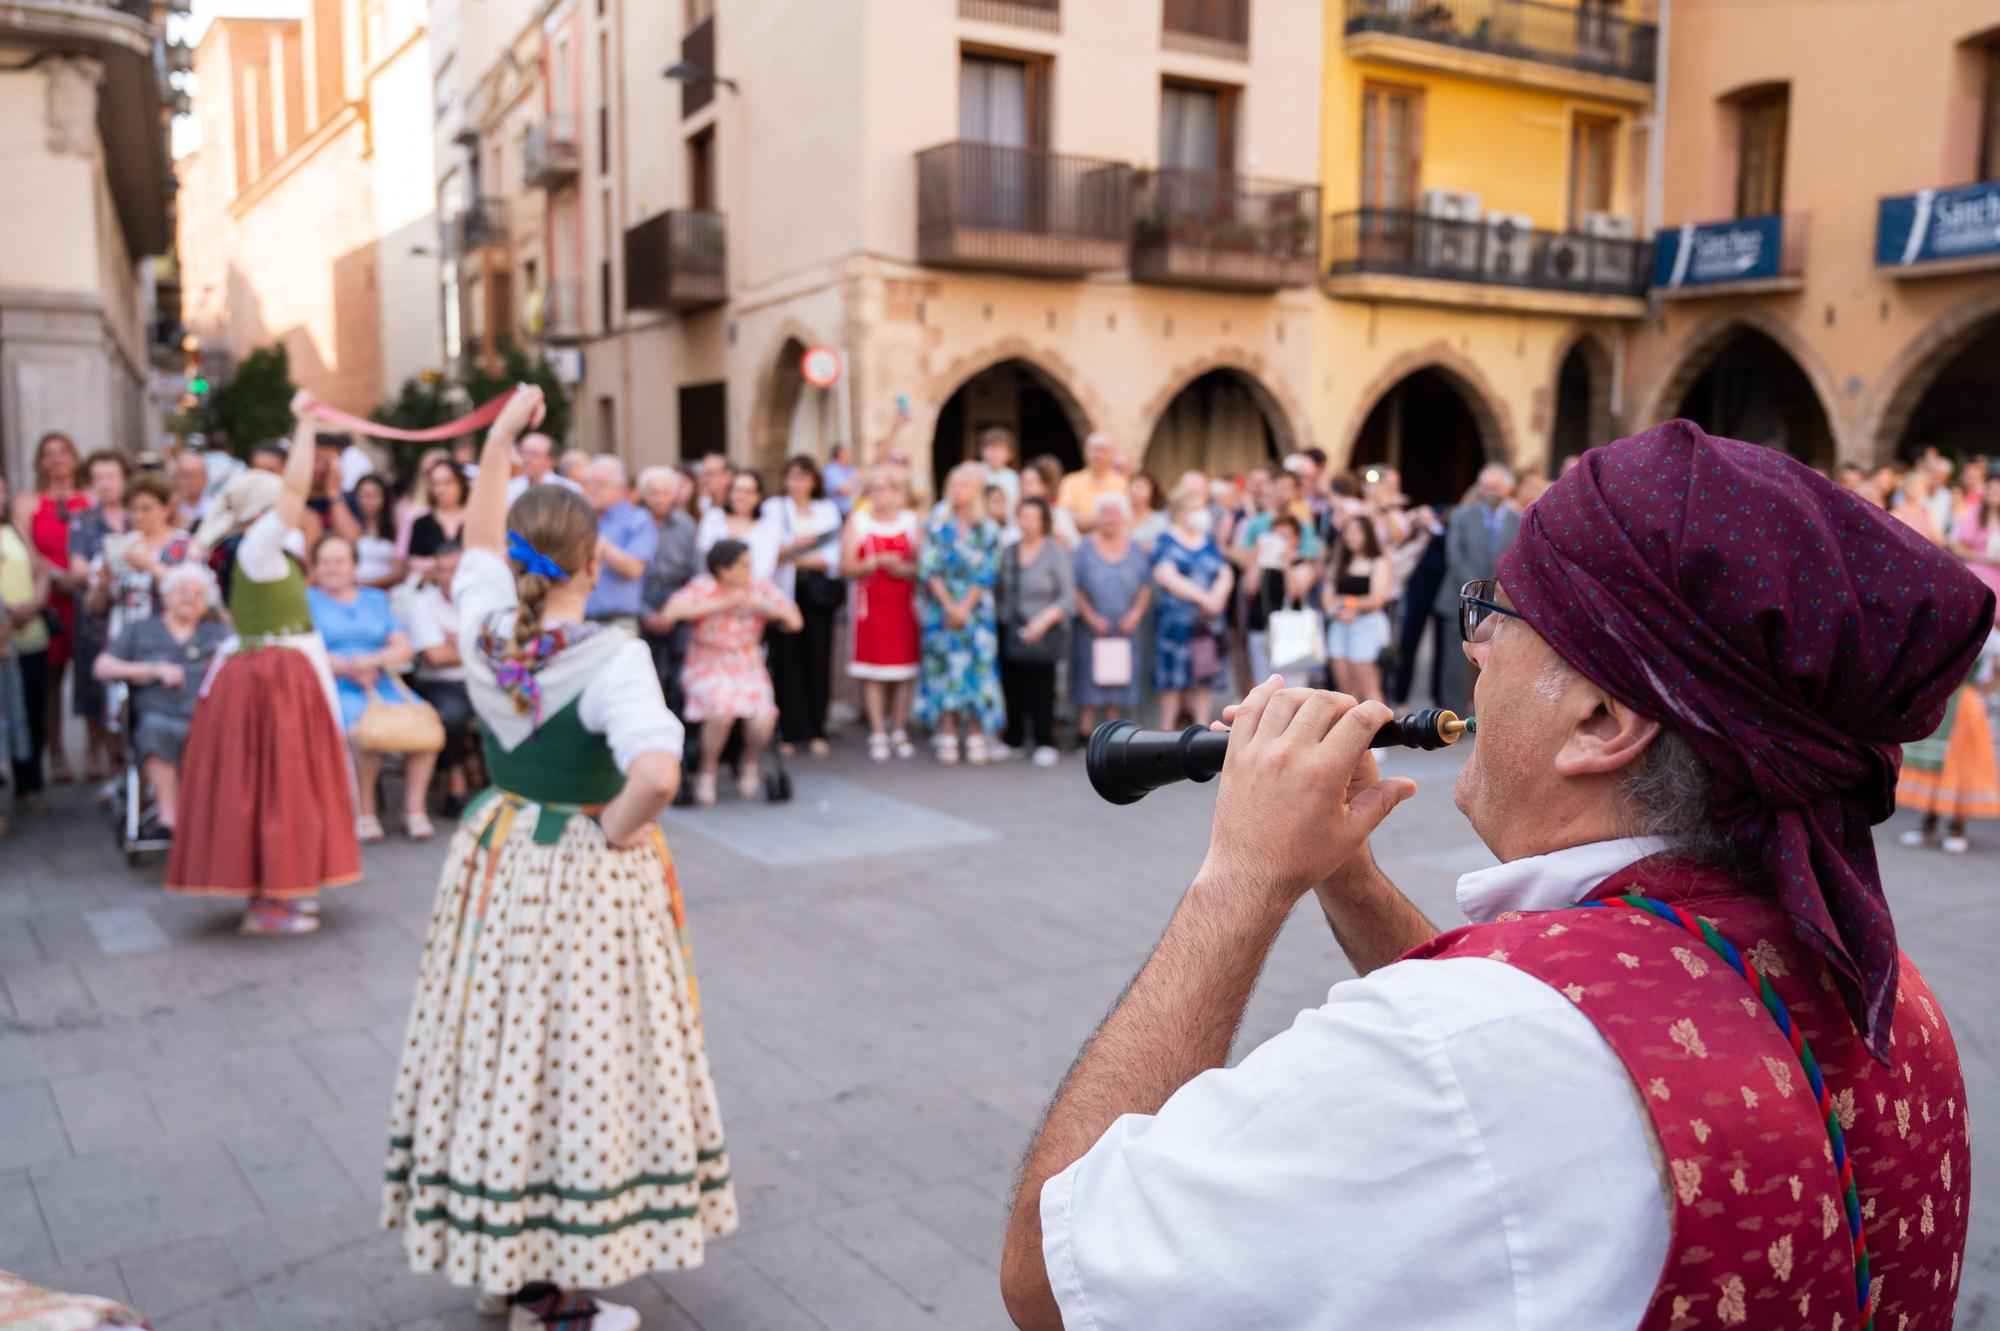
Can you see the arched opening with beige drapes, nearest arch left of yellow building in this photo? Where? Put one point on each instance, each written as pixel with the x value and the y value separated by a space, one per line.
pixel 1219 417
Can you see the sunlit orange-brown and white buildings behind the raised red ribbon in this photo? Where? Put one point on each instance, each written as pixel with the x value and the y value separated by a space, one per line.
pixel 307 213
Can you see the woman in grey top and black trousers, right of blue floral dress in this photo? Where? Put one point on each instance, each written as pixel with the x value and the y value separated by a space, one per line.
pixel 1037 601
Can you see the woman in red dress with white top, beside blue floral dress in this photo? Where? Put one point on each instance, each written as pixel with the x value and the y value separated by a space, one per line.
pixel 879 561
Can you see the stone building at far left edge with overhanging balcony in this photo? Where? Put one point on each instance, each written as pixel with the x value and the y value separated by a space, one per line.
pixel 83 201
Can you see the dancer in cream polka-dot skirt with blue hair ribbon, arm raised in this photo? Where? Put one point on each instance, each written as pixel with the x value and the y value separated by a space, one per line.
pixel 555 1122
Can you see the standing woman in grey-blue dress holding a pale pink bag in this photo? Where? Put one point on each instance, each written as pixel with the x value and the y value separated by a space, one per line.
pixel 1113 597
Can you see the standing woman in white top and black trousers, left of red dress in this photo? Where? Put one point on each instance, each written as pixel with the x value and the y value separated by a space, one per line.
pixel 809 577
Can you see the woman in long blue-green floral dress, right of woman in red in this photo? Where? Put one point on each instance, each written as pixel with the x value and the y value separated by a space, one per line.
pixel 961 674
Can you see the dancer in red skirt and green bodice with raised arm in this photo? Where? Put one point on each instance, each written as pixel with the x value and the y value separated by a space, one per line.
pixel 267 794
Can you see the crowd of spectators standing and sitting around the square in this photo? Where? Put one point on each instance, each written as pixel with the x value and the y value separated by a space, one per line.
pixel 1011 617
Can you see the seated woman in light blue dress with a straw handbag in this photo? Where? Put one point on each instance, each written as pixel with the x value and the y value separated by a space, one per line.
pixel 365 647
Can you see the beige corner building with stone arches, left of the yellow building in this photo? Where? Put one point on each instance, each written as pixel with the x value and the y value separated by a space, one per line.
pixel 1035 213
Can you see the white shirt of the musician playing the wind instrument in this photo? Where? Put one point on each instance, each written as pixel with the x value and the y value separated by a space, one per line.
pixel 1443 1144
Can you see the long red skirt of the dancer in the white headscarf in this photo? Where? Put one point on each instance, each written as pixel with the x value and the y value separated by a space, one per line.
pixel 267 800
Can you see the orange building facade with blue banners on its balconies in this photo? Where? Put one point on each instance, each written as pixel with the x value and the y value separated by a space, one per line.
pixel 1829 259
